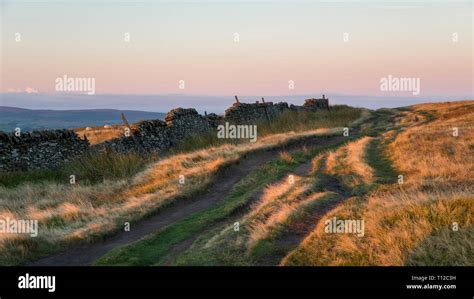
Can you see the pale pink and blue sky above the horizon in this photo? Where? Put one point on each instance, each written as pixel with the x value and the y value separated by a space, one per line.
pixel 281 48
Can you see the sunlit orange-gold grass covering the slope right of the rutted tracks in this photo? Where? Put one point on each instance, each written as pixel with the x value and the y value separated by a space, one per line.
pixel 438 191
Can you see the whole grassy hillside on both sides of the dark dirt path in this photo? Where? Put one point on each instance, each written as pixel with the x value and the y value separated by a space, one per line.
pixel 402 171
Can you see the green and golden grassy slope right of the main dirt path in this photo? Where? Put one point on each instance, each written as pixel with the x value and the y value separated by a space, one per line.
pixel 408 178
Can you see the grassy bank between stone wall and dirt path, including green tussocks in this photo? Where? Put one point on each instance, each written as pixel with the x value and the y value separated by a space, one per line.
pixel 112 188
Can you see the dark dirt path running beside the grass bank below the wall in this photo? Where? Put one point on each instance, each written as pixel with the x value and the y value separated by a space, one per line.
pixel 86 254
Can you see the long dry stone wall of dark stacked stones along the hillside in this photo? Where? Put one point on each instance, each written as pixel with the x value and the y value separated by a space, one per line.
pixel 51 148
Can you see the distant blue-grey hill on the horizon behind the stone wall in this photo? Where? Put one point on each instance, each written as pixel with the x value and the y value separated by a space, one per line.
pixel 28 119
